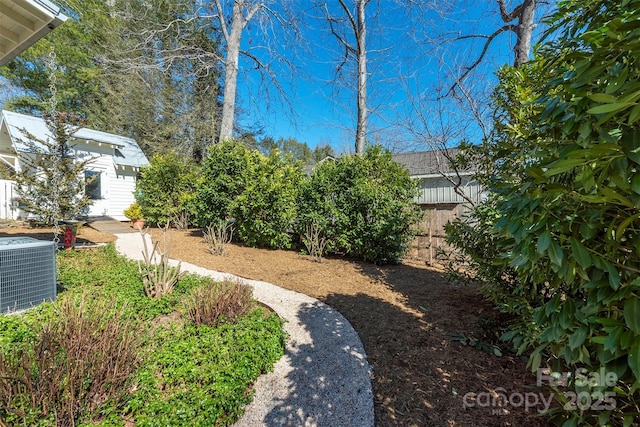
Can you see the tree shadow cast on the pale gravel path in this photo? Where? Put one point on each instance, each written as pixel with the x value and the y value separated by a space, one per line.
pixel 325 392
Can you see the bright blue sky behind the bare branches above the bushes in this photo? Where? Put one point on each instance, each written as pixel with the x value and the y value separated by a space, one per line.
pixel 406 66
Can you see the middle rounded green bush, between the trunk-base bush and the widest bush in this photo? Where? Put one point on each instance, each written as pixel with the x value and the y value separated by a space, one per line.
pixel 265 210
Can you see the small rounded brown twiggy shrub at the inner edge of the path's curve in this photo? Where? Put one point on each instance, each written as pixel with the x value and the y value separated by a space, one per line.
pixel 215 303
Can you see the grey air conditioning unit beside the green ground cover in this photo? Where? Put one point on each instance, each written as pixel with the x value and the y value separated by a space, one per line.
pixel 27 273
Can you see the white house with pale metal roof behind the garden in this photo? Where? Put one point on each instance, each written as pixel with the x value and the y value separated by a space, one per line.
pixel 115 165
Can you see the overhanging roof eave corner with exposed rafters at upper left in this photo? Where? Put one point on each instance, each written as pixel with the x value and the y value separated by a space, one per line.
pixel 24 22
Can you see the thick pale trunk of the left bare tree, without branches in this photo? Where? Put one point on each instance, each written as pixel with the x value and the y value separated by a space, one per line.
pixel 231 72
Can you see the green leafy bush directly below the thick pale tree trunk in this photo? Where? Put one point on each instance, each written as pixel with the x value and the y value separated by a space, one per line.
pixel 226 172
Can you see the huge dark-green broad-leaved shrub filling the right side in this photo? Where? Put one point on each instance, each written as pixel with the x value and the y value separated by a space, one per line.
pixel 567 194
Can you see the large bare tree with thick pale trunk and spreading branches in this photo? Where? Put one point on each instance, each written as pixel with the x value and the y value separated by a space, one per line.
pixel 226 22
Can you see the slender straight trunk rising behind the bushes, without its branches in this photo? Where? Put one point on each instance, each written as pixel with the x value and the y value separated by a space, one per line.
pixel 361 129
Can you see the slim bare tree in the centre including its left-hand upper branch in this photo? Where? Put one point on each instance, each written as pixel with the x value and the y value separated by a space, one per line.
pixel 350 30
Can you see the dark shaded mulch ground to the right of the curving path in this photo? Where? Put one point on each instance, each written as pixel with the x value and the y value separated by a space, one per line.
pixel 421 376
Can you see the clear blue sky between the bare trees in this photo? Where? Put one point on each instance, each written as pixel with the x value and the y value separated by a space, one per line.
pixel 403 67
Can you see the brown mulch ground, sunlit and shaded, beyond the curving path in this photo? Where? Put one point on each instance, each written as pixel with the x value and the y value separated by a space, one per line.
pixel 405 315
